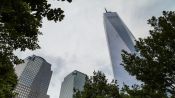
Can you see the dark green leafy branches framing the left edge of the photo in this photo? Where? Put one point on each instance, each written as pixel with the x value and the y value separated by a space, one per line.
pixel 20 21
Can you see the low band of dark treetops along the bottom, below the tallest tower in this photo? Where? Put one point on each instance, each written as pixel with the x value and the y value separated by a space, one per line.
pixel 97 87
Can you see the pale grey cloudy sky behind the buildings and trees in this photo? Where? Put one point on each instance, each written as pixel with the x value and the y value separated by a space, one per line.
pixel 79 42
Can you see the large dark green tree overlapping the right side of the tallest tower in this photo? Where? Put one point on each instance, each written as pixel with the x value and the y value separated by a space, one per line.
pixel 154 62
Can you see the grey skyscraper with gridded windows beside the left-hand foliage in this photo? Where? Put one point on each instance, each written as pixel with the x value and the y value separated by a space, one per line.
pixel 34 77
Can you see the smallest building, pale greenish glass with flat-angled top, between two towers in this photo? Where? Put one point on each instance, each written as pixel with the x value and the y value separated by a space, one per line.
pixel 73 81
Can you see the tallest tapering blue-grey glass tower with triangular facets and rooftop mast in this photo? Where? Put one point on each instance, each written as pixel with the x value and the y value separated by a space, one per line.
pixel 119 37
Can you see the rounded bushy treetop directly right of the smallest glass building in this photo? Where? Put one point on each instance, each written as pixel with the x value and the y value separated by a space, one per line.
pixel 97 87
